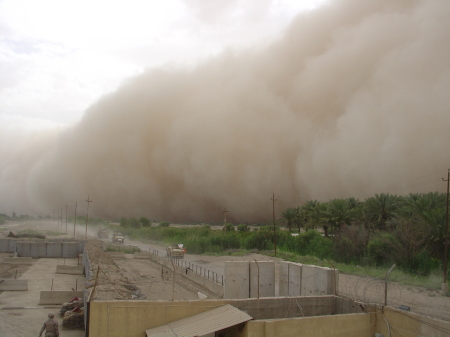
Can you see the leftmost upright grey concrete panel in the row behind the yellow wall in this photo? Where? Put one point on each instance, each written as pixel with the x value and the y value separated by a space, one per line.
pixel 237 274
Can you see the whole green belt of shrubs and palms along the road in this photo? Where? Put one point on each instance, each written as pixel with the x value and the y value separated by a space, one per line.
pixel 357 237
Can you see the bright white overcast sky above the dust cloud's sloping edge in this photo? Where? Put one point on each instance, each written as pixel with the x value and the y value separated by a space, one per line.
pixel 58 57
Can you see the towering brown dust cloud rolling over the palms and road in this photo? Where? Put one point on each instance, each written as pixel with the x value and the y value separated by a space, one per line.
pixel 352 100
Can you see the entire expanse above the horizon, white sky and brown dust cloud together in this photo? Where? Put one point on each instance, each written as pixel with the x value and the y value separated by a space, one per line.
pixel 176 112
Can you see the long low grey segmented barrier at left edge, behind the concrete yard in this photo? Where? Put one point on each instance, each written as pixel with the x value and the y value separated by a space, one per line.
pixel 42 249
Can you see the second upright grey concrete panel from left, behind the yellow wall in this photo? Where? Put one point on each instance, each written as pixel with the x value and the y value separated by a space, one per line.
pixel 262 277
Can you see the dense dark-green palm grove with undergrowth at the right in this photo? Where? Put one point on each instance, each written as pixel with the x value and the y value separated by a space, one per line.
pixel 406 230
